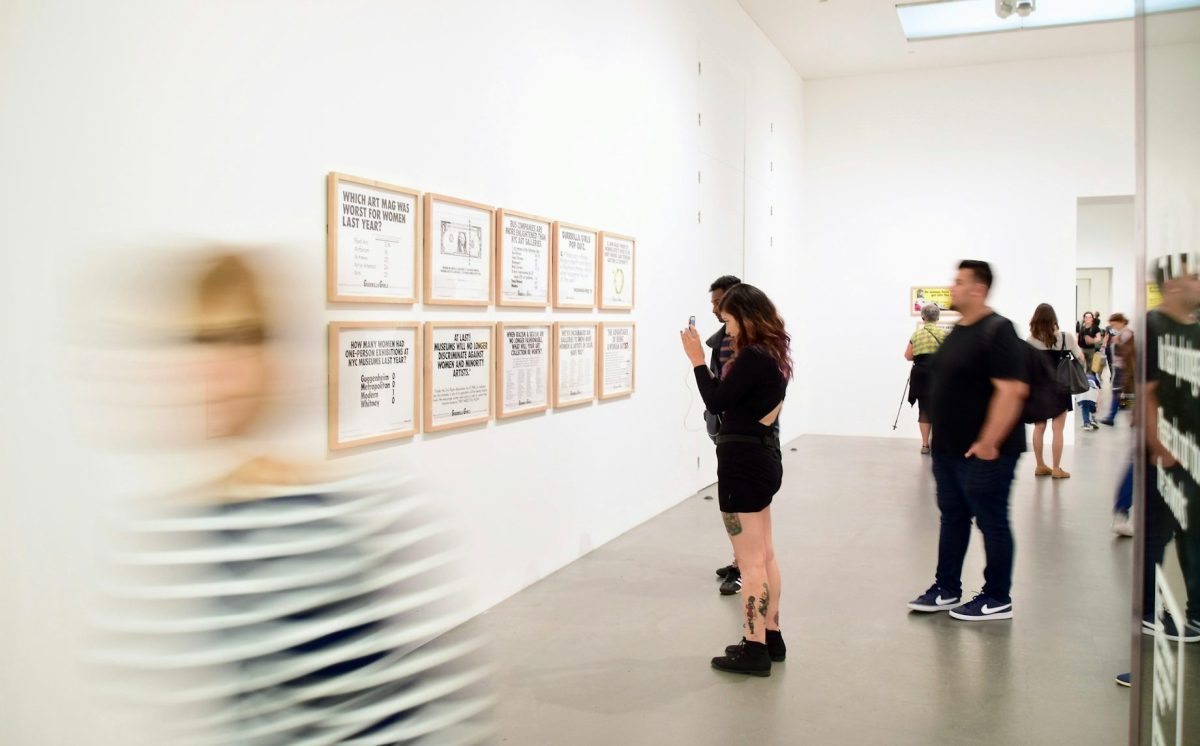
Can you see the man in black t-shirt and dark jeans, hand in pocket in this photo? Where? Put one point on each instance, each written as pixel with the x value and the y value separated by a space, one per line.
pixel 981 381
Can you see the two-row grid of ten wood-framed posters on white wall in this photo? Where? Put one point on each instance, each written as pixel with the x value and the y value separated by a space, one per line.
pixel 393 380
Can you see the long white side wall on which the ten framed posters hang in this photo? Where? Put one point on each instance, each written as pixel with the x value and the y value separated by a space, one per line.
pixel 153 128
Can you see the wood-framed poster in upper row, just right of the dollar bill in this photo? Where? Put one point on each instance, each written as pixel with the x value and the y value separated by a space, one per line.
pixel 523 260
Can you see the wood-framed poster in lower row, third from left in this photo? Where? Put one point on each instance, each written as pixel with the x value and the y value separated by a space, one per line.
pixel 523 369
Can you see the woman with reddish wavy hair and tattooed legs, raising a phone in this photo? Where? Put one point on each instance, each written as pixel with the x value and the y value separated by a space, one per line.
pixel 749 464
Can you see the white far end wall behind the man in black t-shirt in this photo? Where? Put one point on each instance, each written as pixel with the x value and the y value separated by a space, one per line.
pixel 909 173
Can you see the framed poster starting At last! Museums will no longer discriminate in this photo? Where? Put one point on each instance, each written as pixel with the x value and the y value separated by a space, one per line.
pixel 458 375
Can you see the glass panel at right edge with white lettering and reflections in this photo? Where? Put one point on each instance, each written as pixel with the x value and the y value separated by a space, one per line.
pixel 1168 676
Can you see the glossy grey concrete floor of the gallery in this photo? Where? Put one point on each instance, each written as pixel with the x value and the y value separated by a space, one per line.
pixel 616 648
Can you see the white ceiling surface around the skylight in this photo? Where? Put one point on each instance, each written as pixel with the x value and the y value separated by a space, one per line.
pixel 849 38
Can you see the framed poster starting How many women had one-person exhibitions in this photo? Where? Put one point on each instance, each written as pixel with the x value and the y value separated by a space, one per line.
pixel 338 356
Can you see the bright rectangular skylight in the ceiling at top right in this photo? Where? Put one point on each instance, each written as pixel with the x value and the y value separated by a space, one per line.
pixel 943 19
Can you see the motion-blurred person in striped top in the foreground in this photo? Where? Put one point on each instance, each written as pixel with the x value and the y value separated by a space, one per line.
pixel 280 603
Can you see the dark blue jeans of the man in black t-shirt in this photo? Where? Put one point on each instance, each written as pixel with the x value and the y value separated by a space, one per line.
pixel 975 489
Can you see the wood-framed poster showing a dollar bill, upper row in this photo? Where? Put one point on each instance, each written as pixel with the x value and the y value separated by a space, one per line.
pixel 459 238
